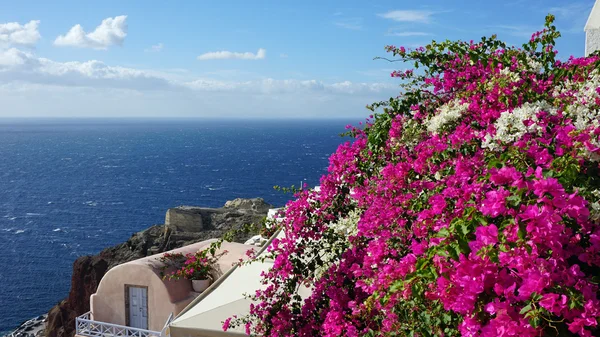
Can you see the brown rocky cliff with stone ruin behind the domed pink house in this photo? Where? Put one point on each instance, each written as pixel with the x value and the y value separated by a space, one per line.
pixel 183 225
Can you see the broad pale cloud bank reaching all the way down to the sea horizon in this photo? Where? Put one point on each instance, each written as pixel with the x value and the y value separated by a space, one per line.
pixel 33 86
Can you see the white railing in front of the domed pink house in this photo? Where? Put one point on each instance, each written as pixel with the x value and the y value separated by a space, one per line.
pixel 85 326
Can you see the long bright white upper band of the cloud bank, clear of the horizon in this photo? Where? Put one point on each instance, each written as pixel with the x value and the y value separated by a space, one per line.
pixel 16 65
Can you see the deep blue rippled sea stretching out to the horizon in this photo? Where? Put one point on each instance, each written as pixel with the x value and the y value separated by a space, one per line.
pixel 70 188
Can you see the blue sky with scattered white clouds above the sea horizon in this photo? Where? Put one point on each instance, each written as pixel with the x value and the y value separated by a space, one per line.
pixel 237 59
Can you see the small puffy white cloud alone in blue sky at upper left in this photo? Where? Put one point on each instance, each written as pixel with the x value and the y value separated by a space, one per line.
pixel 111 32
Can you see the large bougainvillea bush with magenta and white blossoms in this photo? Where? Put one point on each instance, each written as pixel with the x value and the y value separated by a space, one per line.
pixel 468 206
